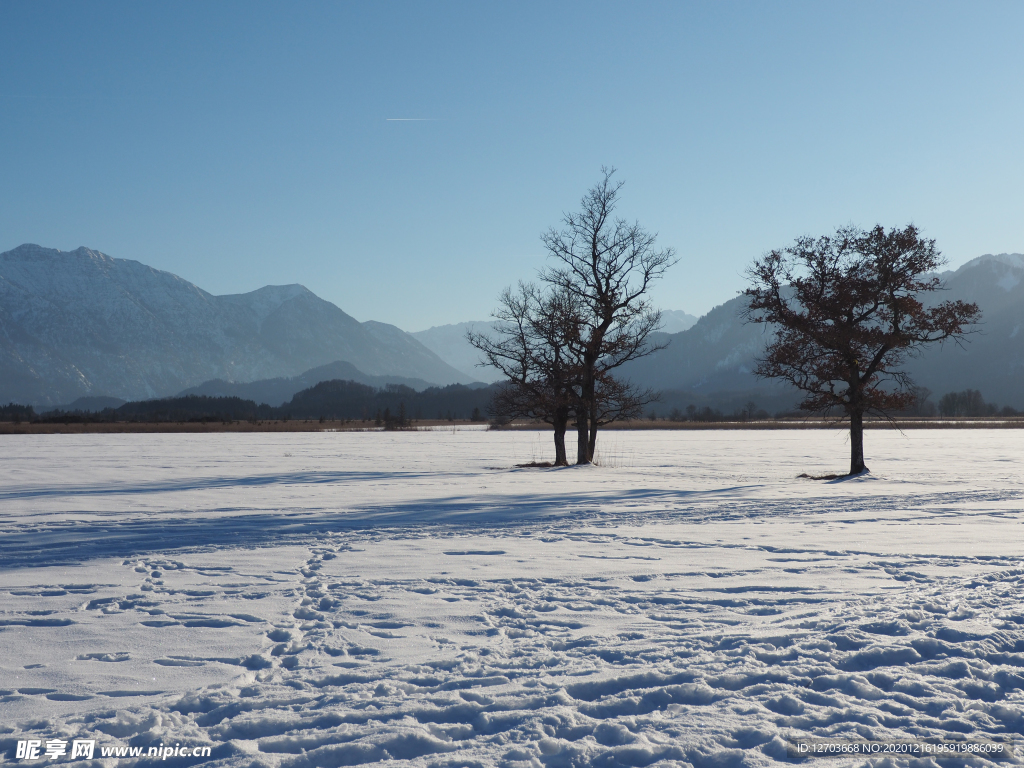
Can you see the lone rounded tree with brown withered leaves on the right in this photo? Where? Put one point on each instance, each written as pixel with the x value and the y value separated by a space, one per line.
pixel 846 315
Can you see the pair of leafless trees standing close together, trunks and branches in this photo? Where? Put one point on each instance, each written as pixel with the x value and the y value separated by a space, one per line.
pixel 559 342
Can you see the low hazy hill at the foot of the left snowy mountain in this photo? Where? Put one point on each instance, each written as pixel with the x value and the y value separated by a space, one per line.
pixel 279 392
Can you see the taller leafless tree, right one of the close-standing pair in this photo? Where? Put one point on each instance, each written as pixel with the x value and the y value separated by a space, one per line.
pixel 608 266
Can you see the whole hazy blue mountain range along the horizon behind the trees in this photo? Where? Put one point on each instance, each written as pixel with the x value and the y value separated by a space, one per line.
pixel 80 324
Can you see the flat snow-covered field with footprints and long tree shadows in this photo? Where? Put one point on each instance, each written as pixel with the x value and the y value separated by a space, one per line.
pixel 336 600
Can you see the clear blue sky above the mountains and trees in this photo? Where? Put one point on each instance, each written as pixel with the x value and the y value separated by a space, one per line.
pixel 239 145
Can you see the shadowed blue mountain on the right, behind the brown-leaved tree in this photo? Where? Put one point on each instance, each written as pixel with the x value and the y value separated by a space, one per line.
pixel 716 356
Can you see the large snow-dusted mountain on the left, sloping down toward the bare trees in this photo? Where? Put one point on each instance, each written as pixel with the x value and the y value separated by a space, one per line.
pixel 80 323
